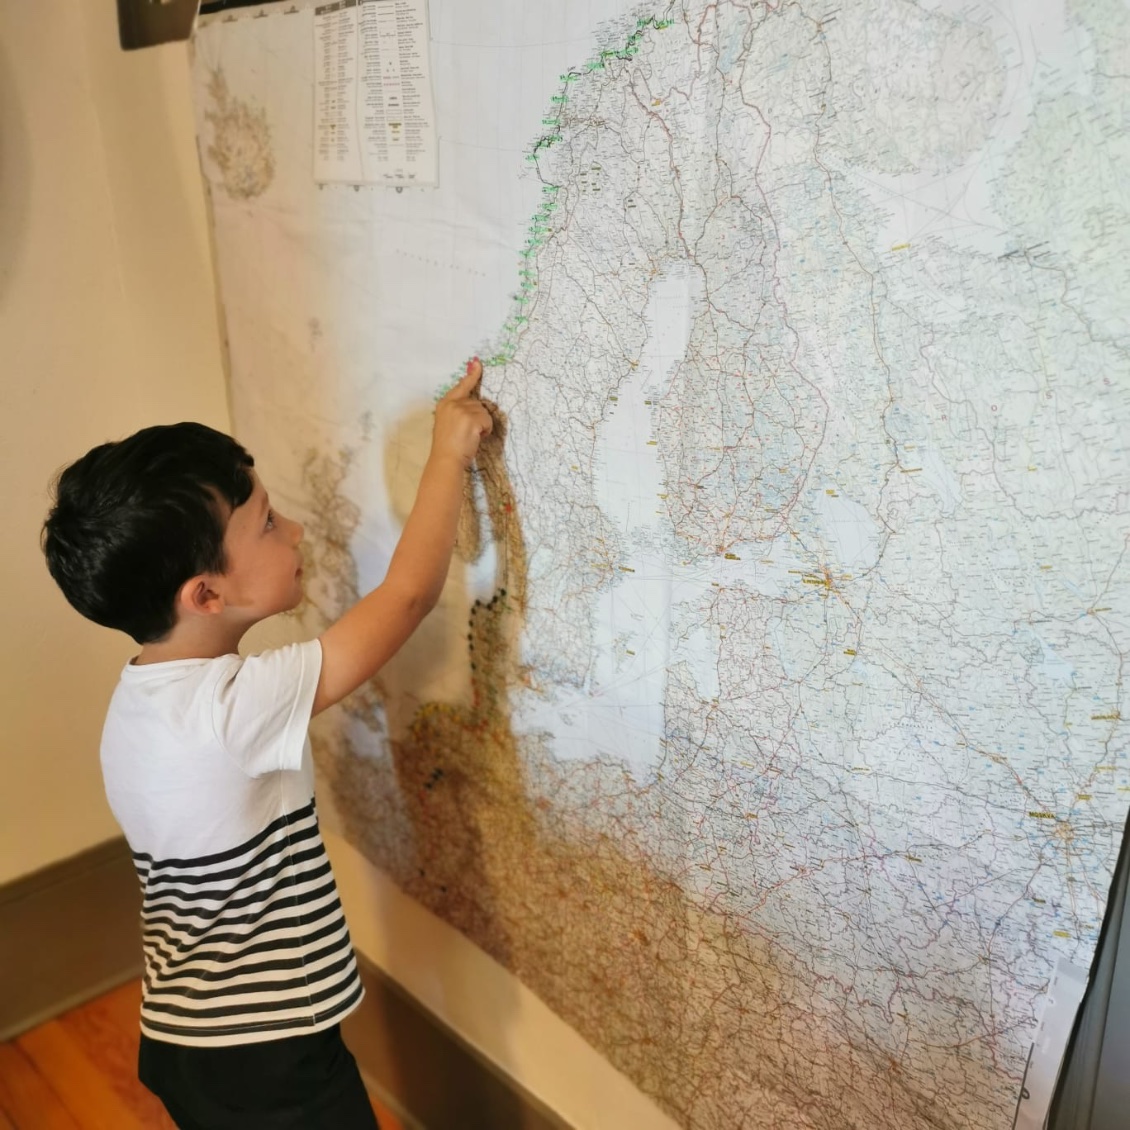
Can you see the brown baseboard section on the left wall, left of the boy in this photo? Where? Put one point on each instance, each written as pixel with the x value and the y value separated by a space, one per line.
pixel 67 934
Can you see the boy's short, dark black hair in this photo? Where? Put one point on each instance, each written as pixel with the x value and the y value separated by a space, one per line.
pixel 134 520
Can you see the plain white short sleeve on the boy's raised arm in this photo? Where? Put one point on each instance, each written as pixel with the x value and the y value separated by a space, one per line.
pixel 262 707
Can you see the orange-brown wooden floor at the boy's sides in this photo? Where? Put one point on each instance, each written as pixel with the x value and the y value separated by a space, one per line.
pixel 80 1073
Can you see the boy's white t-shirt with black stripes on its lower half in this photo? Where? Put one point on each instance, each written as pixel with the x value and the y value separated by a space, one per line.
pixel 208 770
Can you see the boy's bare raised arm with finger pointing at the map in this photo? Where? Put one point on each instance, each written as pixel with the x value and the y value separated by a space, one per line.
pixel 355 647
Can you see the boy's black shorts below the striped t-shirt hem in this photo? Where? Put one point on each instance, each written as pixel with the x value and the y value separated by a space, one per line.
pixel 300 1083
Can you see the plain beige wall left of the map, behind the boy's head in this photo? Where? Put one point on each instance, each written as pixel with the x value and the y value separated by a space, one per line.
pixel 108 324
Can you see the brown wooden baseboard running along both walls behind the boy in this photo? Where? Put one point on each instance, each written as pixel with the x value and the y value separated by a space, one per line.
pixel 71 933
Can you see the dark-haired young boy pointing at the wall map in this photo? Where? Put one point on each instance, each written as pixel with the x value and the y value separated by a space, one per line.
pixel 249 969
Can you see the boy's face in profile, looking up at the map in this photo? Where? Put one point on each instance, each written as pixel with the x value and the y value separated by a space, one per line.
pixel 264 572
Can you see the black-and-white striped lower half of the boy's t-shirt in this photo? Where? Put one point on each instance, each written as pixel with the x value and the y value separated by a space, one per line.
pixel 248 941
